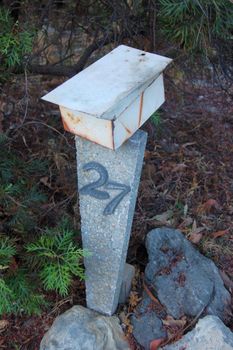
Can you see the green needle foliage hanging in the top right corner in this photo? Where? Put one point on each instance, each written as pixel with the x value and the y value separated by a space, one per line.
pixel 194 25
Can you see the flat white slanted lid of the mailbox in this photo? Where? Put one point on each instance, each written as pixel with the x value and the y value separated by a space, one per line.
pixel 108 86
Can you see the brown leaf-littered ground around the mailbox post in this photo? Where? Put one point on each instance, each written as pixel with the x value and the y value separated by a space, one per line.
pixel 186 182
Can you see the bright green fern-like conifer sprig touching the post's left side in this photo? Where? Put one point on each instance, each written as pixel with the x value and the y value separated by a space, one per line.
pixel 57 259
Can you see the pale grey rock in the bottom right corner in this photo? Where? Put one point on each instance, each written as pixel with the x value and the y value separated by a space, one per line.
pixel 210 333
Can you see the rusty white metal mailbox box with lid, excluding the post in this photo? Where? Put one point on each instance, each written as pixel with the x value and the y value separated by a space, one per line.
pixel 109 100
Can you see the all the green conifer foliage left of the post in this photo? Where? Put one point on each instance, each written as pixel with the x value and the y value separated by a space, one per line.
pixel 33 259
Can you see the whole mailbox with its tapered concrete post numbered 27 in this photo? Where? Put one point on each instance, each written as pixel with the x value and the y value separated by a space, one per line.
pixel 105 105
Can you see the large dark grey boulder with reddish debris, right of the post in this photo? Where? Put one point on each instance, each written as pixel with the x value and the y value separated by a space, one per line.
pixel 185 281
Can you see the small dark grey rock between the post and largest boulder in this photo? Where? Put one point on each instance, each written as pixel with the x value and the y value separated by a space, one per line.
pixel 146 322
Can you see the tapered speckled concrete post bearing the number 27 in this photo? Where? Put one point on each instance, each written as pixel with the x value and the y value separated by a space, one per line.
pixel 107 209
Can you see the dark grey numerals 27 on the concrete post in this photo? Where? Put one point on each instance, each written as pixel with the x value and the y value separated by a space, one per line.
pixel 92 189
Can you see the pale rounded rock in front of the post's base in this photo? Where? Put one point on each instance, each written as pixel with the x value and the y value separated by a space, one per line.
pixel 83 329
